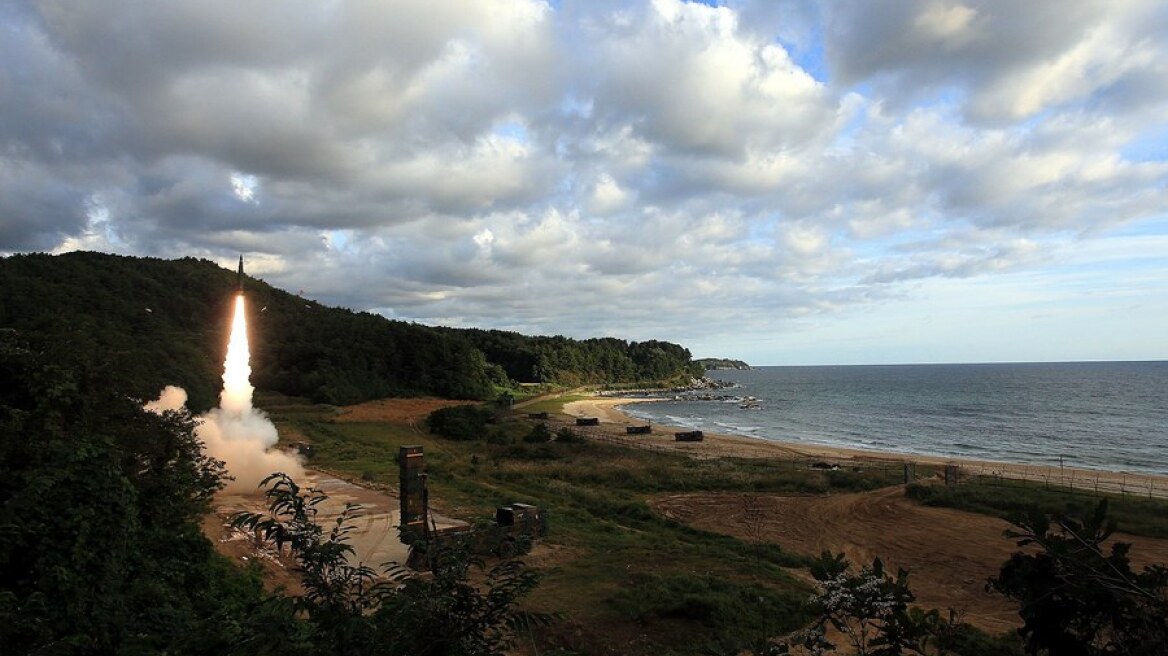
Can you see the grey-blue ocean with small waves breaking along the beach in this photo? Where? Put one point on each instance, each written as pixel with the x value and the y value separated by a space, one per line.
pixel 1110 416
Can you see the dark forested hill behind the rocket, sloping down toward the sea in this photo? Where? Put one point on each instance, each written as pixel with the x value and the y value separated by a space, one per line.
pixel 154 323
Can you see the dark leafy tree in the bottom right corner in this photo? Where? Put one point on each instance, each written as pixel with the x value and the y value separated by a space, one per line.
pixel 1076 597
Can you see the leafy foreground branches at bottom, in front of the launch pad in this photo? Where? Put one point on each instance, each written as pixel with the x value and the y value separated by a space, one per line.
pixel 353 611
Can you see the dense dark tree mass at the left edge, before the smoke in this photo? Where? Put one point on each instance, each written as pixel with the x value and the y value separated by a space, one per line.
pixel 101 546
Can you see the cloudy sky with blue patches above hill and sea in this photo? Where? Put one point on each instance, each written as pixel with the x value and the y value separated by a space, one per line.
pixel 784 183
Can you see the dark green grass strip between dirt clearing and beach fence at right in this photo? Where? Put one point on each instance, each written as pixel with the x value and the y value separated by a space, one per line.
pixel 1138 517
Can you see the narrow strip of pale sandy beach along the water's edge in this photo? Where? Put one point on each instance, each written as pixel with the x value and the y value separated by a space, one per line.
pixel 722 445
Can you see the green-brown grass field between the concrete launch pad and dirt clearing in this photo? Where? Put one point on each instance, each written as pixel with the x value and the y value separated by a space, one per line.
pixel 628 580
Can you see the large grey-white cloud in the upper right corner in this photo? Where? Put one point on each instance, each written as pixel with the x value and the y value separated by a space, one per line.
pixel 1009 61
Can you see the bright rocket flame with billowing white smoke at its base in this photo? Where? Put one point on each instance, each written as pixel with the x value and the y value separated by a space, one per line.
pixel 235 432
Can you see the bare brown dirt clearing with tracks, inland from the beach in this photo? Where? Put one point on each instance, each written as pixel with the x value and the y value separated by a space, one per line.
pixel 949 554
